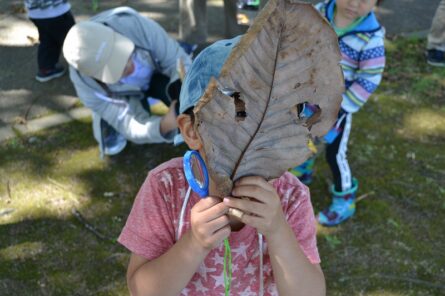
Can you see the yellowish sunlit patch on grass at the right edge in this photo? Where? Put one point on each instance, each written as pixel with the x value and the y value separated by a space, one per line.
pixel 424 122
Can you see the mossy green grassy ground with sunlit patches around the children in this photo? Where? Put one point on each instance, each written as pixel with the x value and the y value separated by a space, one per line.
pixel 54 190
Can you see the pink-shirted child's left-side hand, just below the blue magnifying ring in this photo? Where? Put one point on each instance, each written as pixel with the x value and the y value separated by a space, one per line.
pixel 210 225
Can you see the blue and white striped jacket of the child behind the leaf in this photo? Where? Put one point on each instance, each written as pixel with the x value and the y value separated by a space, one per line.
pixel 363 57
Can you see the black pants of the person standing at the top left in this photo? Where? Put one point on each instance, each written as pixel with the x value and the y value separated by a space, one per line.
pixel 52 32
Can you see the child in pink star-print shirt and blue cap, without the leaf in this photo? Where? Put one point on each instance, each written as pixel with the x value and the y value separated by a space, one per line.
pixel 164 264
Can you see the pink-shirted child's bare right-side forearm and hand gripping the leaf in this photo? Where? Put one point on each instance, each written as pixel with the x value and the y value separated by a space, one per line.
pixel 293 273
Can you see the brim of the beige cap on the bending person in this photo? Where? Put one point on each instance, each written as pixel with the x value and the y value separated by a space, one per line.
pixel 114 67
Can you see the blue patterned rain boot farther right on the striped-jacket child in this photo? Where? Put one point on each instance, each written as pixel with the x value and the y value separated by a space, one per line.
pixel 342 207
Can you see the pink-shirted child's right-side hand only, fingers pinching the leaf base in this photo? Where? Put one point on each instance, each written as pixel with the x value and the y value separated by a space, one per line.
pixel 263 211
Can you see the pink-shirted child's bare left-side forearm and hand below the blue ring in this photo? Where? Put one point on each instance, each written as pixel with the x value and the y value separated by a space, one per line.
pixel 170 273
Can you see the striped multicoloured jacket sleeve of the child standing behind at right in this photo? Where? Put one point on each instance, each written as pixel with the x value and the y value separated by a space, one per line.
pixel 367 76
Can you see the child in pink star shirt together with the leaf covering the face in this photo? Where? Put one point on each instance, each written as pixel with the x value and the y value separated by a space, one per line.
pixel 239 108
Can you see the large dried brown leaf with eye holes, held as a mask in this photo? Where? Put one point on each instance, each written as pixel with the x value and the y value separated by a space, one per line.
pixel 289 56
